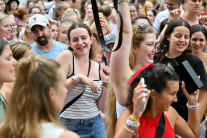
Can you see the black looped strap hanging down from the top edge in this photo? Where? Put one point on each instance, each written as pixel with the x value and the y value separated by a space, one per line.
pixel 98 26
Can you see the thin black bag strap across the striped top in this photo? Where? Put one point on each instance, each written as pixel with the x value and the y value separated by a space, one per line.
pixel 77 97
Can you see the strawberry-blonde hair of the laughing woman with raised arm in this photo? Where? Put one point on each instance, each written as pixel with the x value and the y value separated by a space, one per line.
pixel 137 38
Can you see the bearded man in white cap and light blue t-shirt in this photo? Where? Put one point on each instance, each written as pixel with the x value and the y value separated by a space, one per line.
pixel 44 45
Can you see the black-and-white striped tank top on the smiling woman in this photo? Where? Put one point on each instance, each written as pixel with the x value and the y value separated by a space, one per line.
pixel 85 107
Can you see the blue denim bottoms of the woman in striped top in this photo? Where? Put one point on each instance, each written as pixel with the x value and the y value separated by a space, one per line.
pixel 88 128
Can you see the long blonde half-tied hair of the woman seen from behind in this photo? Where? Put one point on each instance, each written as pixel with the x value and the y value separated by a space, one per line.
pixel 30 98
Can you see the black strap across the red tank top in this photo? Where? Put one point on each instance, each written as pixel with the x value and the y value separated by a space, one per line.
pixel 160 127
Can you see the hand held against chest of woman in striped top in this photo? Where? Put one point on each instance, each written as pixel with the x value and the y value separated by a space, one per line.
pixel 89 82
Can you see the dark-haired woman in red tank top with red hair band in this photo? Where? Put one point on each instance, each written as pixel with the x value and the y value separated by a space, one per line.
pixel 160 90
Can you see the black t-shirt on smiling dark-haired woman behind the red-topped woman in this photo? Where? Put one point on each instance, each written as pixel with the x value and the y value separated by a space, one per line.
pixel 198 67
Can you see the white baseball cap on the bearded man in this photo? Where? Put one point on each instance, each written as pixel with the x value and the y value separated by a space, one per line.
pixel 38 19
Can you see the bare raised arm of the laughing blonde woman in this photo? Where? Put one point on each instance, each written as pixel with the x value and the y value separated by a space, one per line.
pixel 119 64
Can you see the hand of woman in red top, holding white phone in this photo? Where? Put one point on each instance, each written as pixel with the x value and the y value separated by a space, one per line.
pixel 137 100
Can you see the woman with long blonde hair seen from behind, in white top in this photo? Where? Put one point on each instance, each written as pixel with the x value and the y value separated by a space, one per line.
pixel 38 94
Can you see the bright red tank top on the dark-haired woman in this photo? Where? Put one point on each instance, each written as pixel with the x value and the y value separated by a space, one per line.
pixel 148 127
